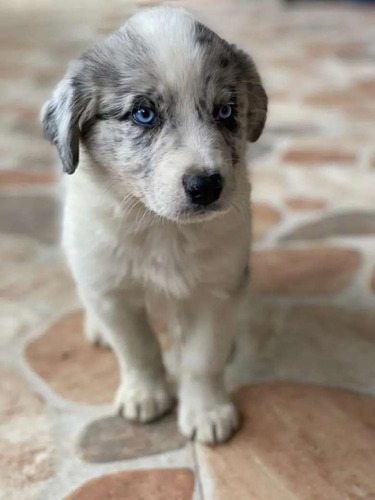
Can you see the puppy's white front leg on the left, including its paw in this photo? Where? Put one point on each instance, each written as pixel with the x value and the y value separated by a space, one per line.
pixel 143 393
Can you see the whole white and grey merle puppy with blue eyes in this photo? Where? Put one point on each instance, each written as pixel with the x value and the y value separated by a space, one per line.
pixel 153 123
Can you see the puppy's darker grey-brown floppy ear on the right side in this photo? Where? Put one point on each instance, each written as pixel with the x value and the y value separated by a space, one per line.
pixel 256 96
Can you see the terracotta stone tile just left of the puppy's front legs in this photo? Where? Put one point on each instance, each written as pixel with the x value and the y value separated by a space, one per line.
pixel 59 355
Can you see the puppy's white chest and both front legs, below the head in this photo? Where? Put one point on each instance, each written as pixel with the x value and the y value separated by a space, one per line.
pixel 124 259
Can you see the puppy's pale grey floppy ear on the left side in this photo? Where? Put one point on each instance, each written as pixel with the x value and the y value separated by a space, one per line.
pixel 61 117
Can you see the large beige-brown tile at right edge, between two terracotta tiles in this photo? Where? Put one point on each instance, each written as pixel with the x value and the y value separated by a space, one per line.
pixel 325 345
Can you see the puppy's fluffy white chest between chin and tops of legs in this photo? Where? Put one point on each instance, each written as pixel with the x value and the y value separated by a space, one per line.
pixel 114 245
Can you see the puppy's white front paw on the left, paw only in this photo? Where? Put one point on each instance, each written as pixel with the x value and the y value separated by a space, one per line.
pixel 143 400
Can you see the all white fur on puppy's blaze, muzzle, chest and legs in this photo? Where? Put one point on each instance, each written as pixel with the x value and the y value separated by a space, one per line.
pixel 133 253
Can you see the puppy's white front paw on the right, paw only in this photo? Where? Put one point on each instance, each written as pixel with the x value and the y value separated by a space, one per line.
pixel 210 426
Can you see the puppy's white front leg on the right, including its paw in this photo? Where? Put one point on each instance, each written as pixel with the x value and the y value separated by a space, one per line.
pixel 206 412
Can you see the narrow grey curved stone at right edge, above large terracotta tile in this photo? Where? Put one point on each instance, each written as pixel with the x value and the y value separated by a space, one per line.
pixel 344 224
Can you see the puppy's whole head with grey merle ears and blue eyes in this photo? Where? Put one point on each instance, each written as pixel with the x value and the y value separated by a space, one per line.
pixel 164 107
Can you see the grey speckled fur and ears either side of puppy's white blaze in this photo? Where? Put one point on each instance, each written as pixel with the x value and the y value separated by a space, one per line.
pixel 100 88
